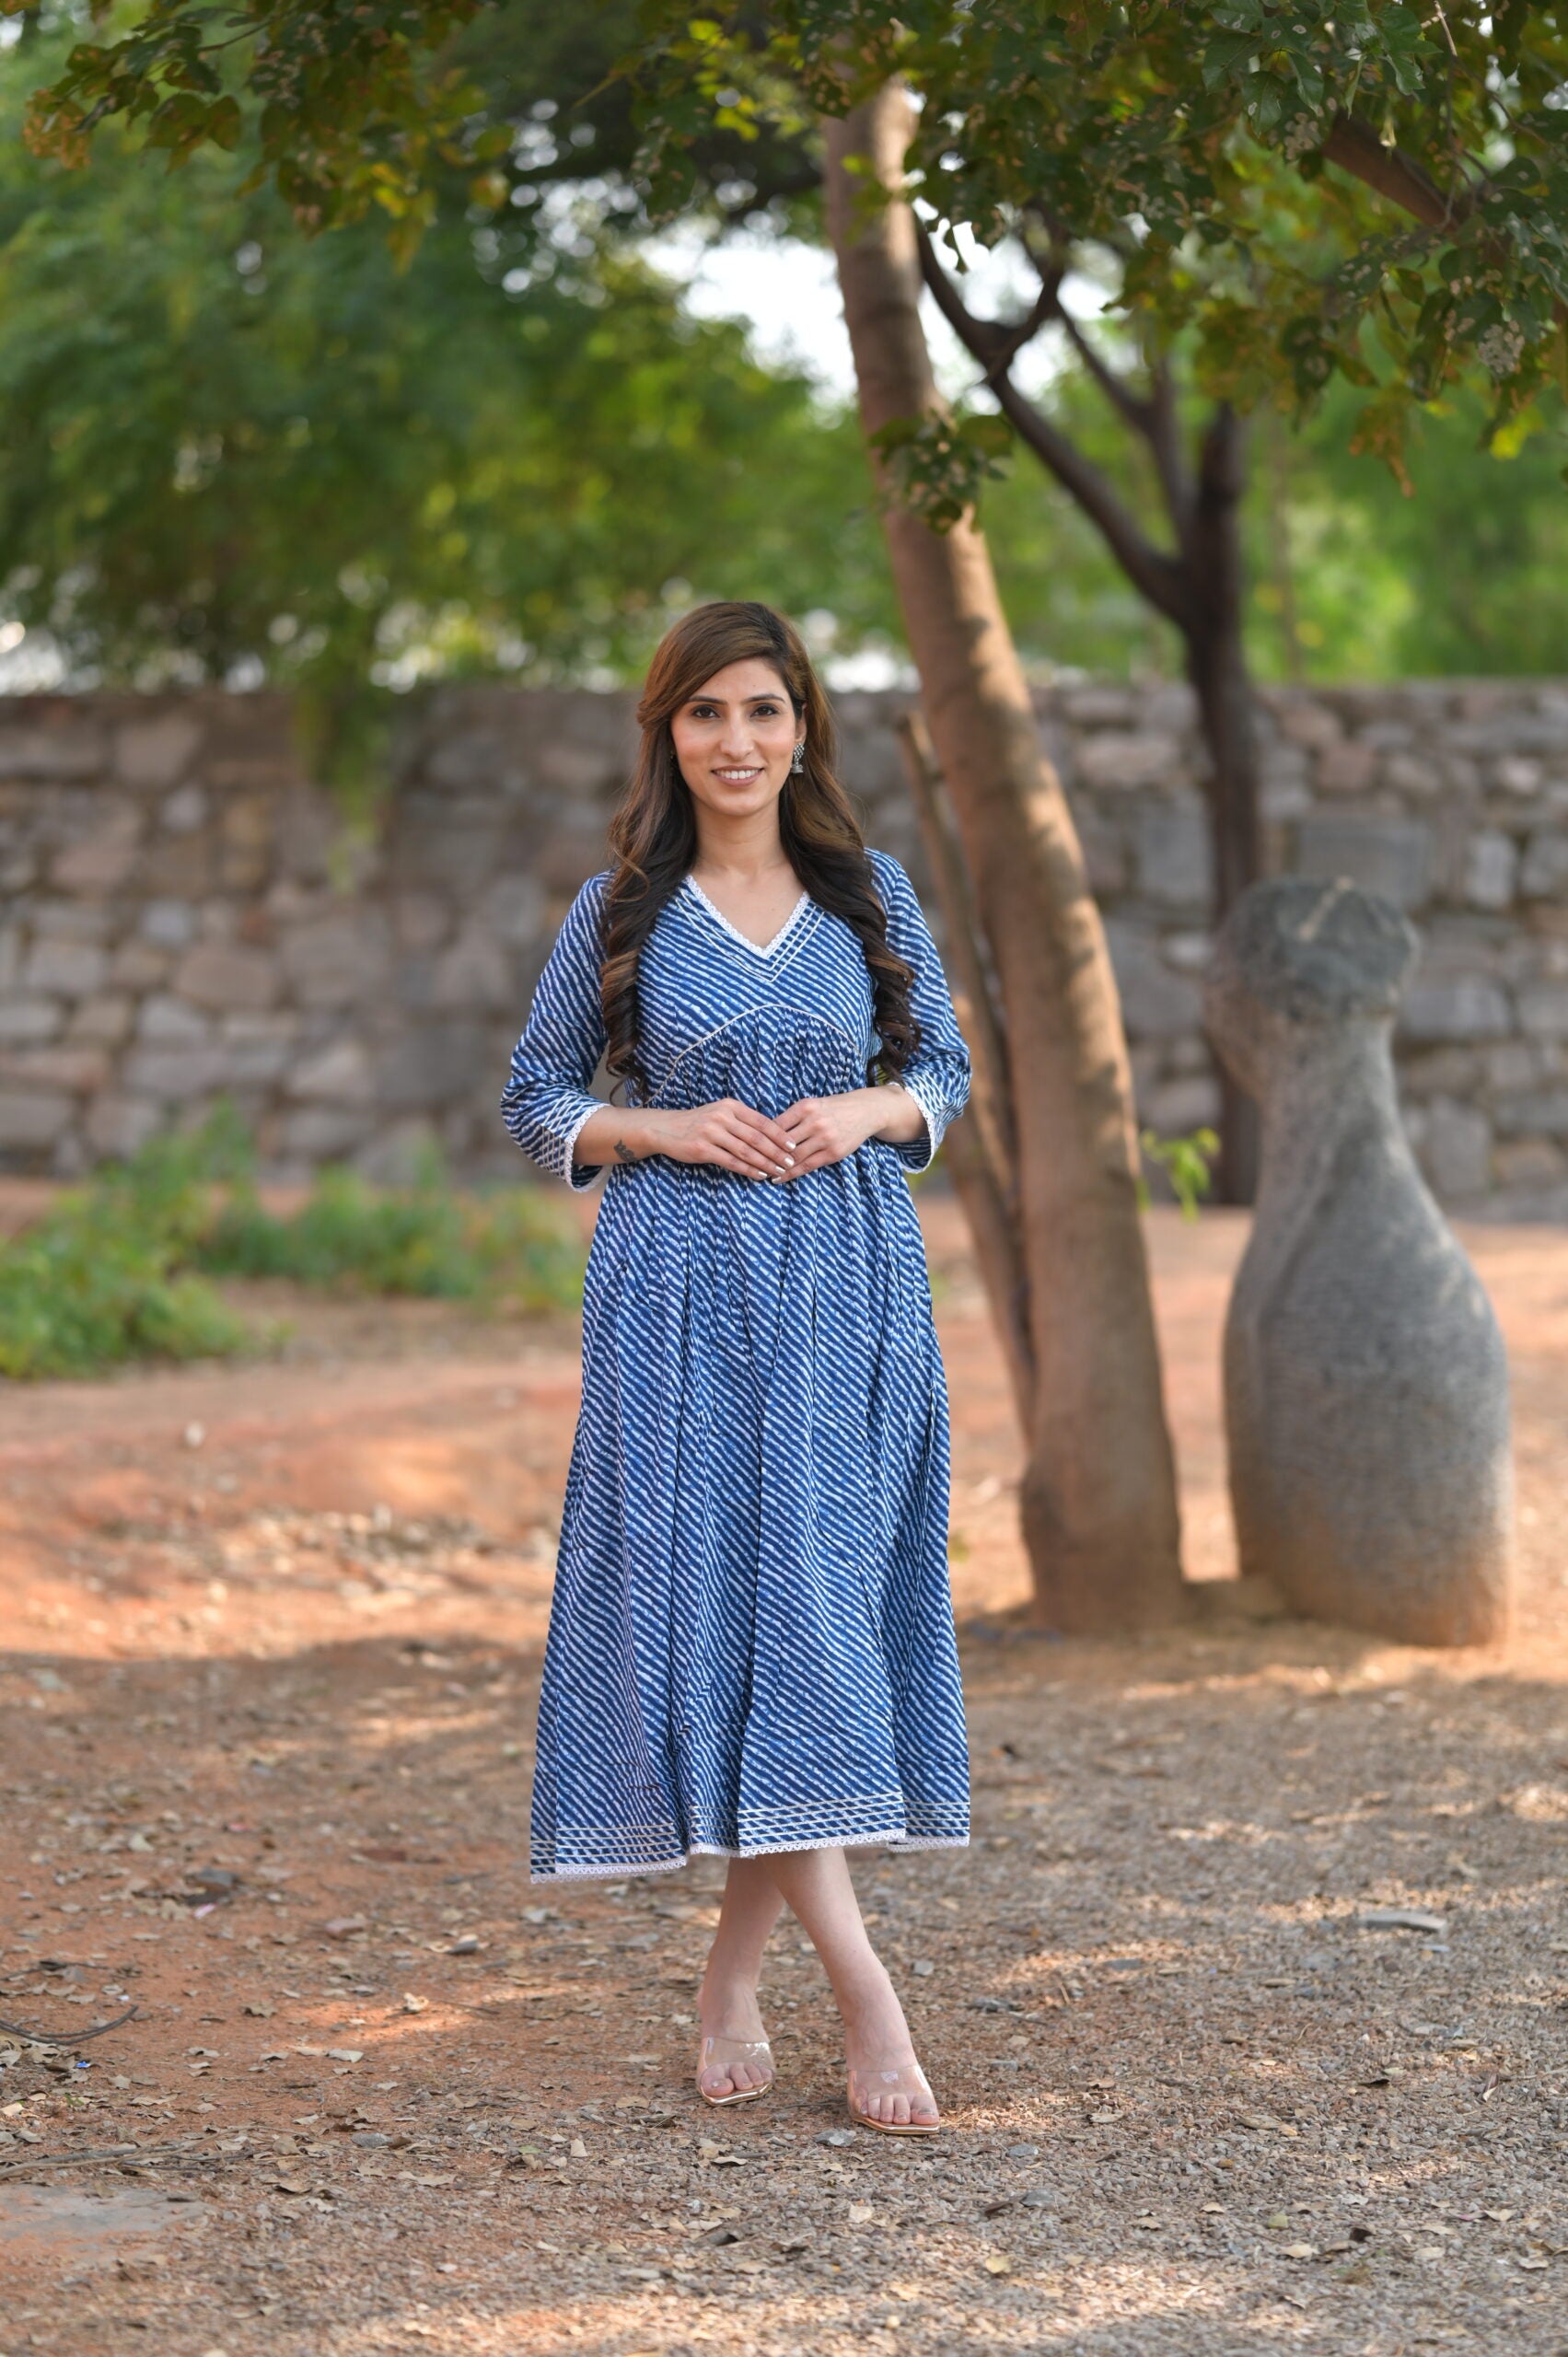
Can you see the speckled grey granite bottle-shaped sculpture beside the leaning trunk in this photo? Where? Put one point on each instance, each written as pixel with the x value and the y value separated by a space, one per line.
pixel 1366 1380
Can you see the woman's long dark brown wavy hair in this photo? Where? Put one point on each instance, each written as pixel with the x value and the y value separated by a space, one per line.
pixel 657 840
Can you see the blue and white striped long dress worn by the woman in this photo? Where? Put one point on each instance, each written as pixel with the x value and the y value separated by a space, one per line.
pixel 751 1642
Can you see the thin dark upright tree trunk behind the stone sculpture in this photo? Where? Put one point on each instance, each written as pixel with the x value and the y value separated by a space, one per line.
pixel 1218 671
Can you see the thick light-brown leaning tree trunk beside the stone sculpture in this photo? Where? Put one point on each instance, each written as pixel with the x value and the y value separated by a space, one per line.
pixel 1100 1493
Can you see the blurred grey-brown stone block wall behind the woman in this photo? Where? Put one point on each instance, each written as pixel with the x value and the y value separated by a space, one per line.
pixel 185 916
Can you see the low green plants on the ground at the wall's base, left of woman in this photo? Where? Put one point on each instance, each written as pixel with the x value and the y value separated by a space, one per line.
pixel 119 1269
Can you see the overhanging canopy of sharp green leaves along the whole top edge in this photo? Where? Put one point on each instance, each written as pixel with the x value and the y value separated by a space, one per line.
pixel 1317 187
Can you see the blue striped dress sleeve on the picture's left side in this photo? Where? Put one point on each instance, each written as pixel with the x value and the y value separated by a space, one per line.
pixel 548 1100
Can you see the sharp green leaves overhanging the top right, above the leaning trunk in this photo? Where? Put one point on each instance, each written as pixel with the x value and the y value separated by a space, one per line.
pixel 1289 183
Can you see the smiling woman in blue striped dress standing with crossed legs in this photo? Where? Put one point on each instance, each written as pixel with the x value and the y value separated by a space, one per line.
pixel 751 1646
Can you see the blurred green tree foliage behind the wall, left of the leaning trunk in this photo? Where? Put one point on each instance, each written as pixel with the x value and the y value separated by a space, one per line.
pixel 237 451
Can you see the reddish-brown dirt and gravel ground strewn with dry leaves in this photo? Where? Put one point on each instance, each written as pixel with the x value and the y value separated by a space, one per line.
pixel 268 1698
